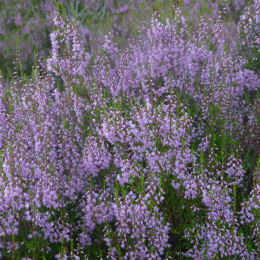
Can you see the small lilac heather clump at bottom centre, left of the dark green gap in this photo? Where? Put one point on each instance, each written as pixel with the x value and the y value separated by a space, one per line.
pixel 140 231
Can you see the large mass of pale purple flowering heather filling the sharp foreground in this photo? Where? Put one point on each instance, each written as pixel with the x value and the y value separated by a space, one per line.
pixel 143 152
